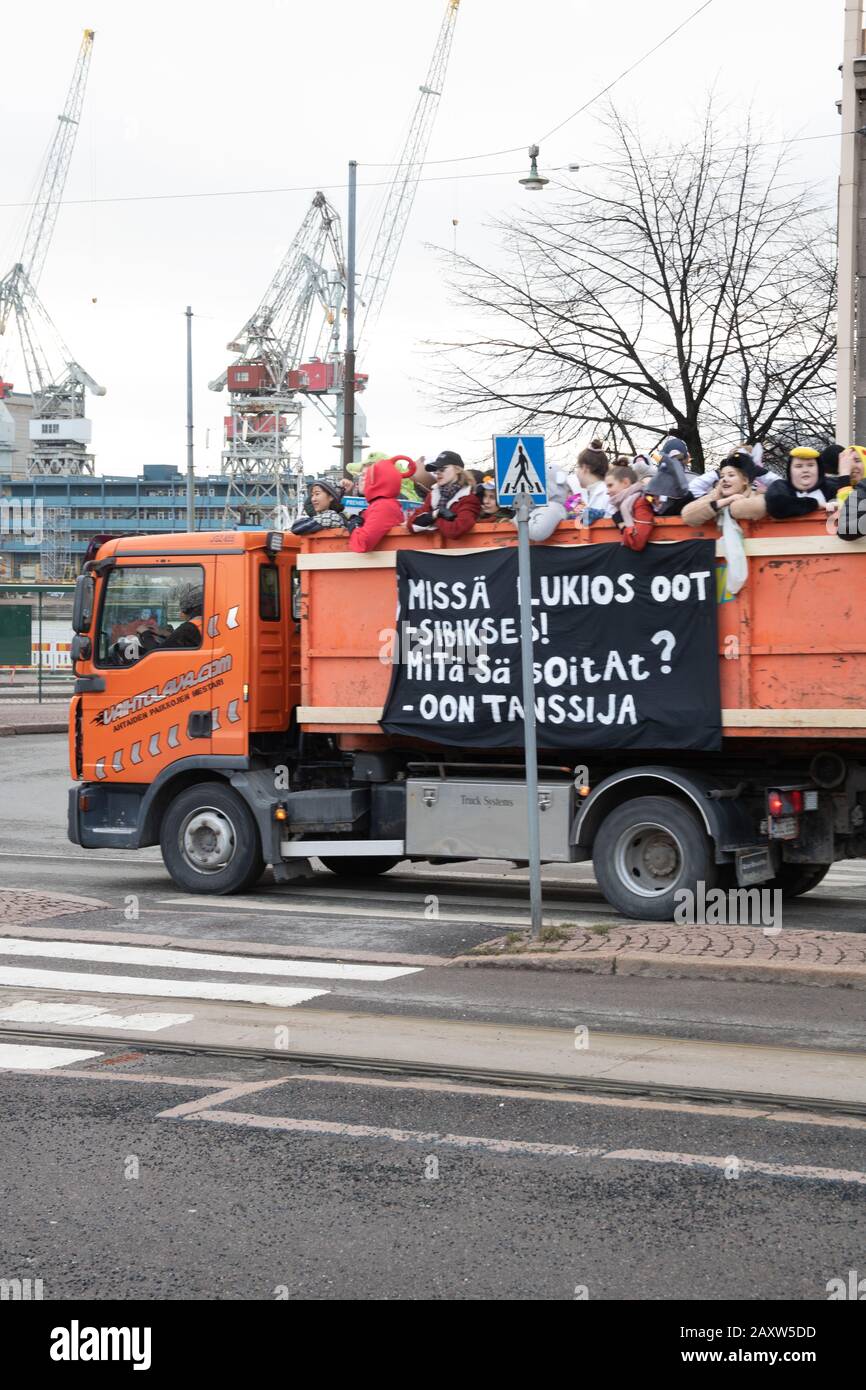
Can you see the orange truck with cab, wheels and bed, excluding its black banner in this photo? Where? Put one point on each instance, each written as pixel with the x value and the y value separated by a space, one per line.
pixel 262 743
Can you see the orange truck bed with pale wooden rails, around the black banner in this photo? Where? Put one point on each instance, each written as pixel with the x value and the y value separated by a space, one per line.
pixel 792 643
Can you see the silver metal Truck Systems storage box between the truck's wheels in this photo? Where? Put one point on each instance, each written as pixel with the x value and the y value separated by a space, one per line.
pixel 486 819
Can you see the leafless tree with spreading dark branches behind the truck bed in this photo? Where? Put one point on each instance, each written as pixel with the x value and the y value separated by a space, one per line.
pixel 690 291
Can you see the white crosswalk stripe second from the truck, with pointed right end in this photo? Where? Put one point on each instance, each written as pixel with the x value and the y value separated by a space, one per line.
pixel 283 997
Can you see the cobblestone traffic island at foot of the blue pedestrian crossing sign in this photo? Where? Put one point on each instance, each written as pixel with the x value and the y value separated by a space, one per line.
pixel 793 957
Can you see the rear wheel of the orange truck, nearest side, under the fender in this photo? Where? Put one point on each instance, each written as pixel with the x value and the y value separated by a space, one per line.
pixel 648 850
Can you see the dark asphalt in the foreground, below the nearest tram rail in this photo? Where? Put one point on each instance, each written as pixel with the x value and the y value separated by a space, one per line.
pixel 108 1196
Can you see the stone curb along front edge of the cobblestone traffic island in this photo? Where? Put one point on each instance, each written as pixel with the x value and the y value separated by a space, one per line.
pixel 678 968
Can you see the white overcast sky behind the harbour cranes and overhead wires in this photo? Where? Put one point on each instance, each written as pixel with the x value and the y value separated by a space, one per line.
pixel 198 98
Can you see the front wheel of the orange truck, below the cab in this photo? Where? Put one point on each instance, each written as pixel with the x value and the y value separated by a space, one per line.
pixel 212 822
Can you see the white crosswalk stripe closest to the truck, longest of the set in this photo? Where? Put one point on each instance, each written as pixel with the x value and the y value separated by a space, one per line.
pixel 169 960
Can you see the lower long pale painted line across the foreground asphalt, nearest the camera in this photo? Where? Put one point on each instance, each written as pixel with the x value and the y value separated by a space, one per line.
pixel 509 1147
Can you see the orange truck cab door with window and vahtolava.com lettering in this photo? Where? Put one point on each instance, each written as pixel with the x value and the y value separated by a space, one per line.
pixel 156 662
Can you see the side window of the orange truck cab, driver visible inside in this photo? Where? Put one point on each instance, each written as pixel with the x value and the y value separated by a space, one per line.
pixel 148 603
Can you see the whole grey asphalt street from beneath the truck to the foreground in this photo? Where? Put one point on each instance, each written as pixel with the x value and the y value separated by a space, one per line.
pixel 137 1174
